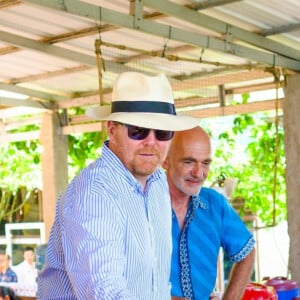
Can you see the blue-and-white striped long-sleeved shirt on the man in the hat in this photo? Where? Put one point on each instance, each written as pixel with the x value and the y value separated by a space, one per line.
pixel 110 239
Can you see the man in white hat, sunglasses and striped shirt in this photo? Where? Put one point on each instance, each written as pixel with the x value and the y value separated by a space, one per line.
pixel 111 238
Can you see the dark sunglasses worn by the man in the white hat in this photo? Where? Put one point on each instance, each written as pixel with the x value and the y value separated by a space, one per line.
pixel 140 133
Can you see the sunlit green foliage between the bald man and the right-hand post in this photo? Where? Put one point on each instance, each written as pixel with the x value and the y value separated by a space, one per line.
pixel 260 173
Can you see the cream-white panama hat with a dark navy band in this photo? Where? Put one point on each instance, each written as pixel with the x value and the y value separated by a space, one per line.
pixel 144 101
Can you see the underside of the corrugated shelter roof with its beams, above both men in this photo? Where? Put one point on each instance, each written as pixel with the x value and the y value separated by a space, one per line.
pixel 58 54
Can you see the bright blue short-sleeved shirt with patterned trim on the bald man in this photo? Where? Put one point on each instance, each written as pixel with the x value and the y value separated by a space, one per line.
pixel 211 223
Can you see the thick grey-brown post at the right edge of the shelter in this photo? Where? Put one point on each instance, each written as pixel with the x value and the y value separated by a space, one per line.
pixel 291 119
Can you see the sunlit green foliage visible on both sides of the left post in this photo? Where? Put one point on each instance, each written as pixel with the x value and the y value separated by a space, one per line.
pixel 20 161
